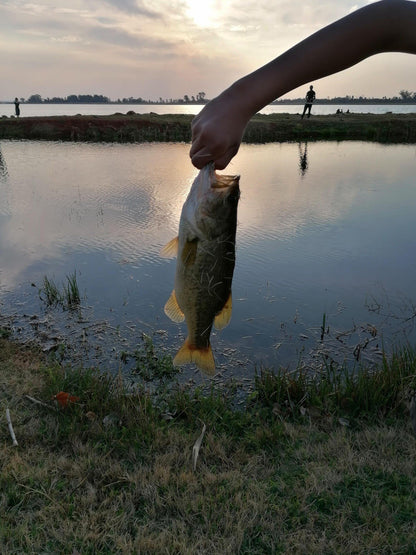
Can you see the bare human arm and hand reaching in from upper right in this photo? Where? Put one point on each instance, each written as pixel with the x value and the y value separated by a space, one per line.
pixel 386 26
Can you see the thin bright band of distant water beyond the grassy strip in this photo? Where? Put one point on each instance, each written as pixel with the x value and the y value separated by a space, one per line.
pixel 108 109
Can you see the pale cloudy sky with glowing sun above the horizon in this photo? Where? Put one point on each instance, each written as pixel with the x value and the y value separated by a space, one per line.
pixel 171 48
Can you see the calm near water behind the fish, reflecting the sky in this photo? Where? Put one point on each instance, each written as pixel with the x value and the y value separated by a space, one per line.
pixel 325 230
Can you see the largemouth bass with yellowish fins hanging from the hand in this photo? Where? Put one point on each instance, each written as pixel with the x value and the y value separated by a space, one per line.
pixel 205 251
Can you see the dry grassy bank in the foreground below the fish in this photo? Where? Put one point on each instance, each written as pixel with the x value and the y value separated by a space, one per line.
pixel 323 465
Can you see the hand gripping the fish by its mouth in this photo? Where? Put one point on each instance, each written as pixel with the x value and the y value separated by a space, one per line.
pixel 217 132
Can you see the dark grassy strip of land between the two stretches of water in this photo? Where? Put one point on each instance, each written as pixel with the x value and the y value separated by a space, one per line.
pixel 262 128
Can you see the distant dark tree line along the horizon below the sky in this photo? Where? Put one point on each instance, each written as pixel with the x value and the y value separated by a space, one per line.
pixel 200 98
